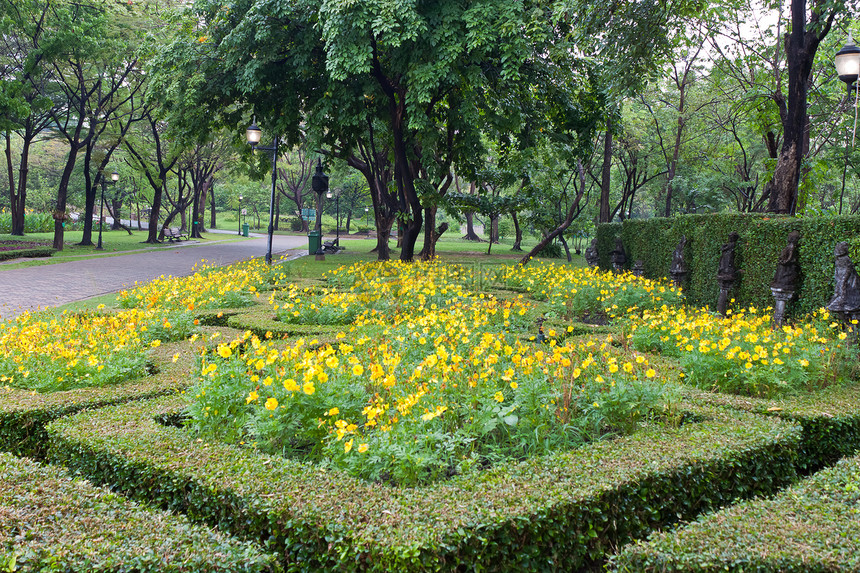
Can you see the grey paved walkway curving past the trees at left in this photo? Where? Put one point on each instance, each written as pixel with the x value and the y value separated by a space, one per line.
pixel 62 283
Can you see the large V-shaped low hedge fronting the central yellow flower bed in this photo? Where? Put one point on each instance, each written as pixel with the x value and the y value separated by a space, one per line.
pixel 565 510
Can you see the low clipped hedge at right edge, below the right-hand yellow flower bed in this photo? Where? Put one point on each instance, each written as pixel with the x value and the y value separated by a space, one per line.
pixel 830 419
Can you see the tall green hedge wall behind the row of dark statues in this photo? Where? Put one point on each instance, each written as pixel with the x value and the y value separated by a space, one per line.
pixel 761 240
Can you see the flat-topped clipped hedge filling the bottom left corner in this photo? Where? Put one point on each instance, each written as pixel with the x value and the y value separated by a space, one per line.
pixel 52 522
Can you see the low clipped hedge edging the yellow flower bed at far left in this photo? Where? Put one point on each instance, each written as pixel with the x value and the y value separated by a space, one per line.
pixel 24 413
